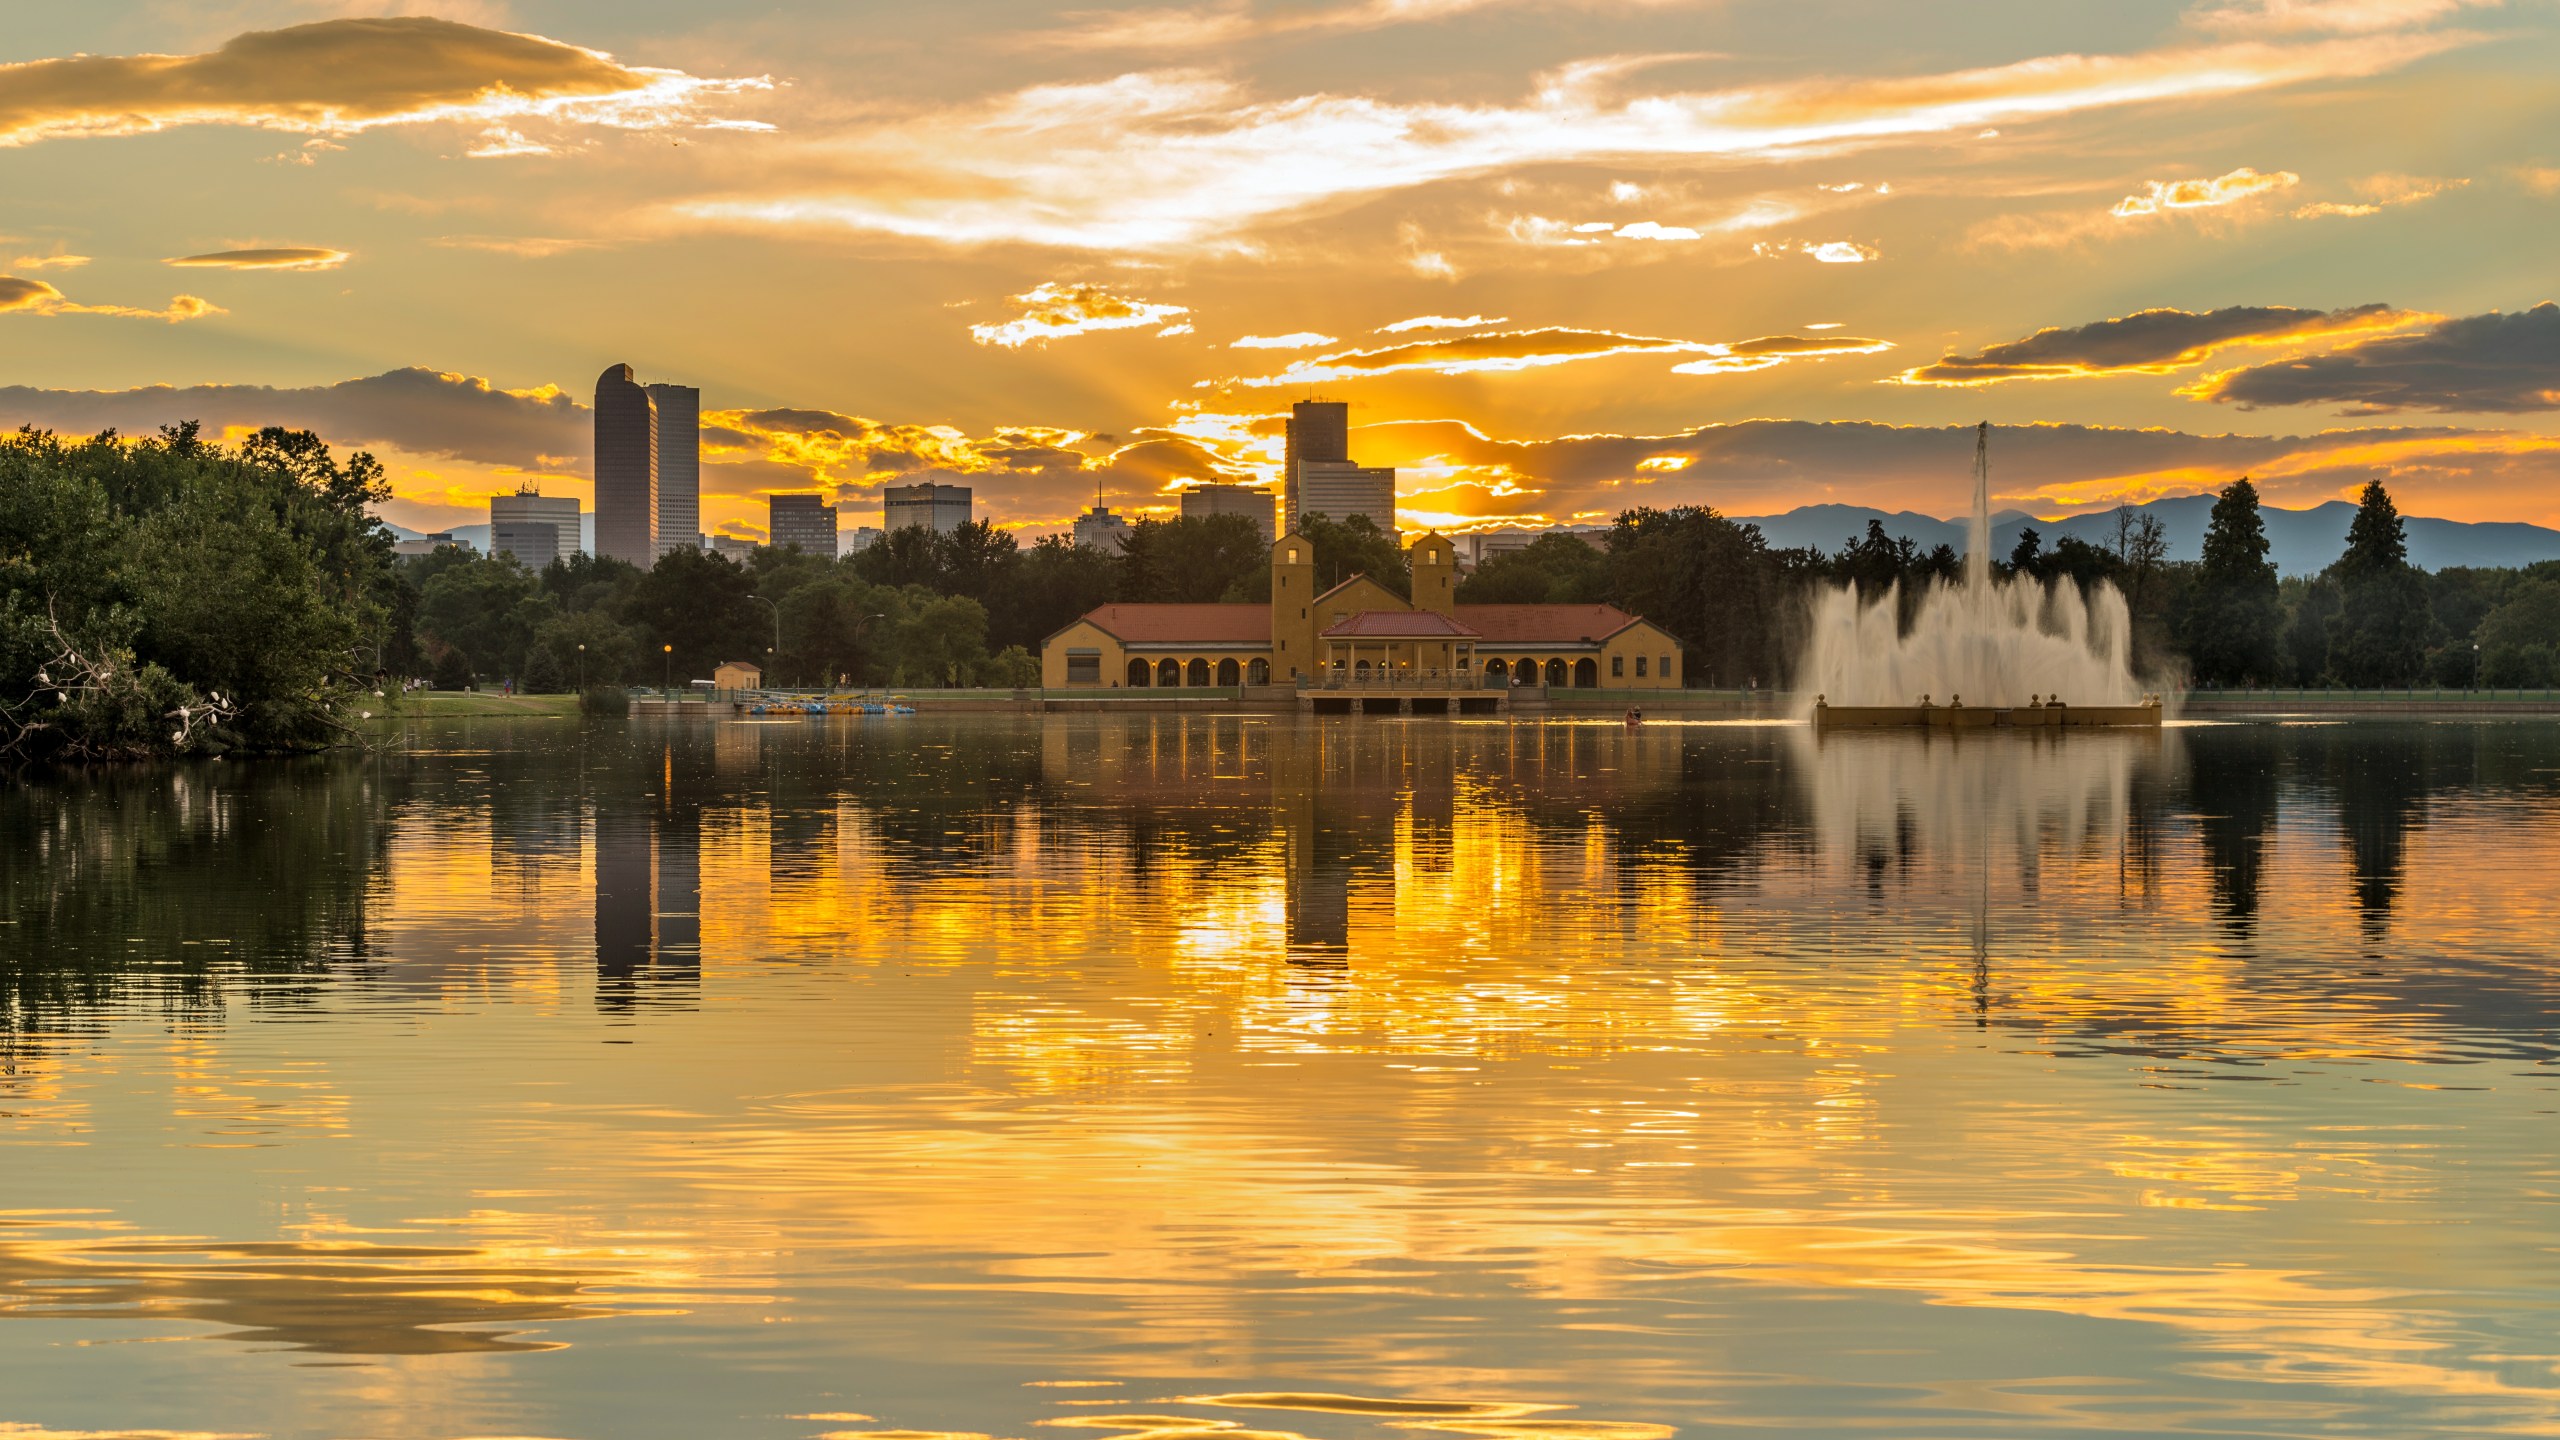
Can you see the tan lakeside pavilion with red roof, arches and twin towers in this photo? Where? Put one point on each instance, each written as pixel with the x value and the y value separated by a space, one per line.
pixel 1361 629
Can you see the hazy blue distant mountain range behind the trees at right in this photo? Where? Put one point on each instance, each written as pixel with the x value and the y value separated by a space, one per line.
pixel 2300 542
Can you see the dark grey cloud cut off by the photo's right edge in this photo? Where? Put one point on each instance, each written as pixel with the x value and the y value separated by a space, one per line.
pixel 2479 365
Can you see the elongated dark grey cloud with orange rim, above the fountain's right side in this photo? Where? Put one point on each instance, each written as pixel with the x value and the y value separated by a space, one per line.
pixel 2157 342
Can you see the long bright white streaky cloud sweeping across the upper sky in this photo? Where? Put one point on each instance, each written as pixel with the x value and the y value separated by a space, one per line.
pixel 1189 158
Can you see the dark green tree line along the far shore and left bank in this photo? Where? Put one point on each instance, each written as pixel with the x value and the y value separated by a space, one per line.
pixel 175 596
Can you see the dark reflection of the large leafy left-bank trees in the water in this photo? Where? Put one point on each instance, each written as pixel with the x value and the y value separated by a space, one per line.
pixel 183 880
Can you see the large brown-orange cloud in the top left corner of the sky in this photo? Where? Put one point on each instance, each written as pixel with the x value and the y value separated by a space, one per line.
pixel 339 78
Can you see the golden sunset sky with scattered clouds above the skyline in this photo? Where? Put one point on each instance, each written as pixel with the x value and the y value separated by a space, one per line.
pixel 1560 258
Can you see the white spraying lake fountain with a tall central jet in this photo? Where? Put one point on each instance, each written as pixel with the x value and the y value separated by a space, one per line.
pixel 1985 652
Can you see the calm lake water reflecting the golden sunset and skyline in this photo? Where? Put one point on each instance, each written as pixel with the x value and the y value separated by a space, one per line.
pixel 1350 1080
